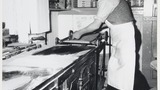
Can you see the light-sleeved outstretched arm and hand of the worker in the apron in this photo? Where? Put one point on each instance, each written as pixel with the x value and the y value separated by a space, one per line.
pixel 105 7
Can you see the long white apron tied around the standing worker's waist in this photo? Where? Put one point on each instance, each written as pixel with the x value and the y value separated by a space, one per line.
pixel 121 66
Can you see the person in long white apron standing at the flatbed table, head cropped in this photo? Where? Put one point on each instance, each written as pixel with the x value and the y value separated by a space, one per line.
pixel 117 15
